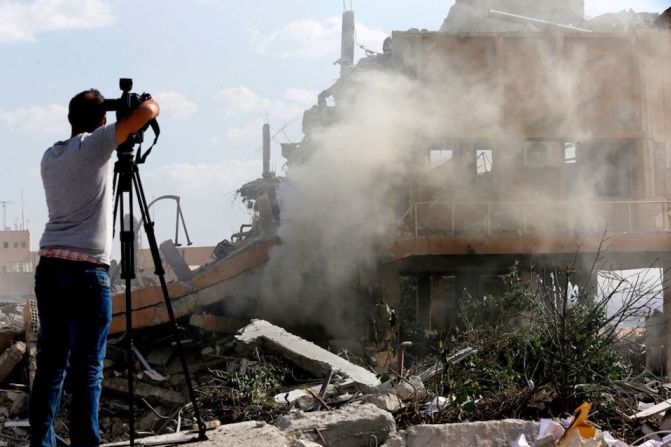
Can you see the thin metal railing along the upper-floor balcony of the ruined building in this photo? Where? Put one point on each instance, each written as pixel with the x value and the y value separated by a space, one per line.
pixel 531 218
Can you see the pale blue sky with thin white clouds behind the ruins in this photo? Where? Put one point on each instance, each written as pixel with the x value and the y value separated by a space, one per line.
pixel 219 69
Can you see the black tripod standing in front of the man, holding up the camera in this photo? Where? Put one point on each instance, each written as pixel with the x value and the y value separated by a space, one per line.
pixel 127 179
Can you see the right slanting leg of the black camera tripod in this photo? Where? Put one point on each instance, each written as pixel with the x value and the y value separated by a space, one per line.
pixel 160 272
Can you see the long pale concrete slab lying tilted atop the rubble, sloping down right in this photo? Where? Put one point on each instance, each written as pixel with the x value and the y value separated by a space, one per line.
pixel 302 353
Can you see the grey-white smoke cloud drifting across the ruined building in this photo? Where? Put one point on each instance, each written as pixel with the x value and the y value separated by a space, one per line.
pixel 454 122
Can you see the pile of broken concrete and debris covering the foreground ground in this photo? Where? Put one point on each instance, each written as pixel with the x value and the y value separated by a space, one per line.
pixel 264 385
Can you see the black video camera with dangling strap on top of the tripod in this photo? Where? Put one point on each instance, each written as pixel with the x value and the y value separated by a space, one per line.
pixel 124 106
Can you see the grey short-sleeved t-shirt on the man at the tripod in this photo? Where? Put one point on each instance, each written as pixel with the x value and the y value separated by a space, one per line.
pixel 77 178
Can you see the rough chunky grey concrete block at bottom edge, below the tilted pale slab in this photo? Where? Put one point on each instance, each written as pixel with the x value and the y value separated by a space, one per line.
pixel 349 426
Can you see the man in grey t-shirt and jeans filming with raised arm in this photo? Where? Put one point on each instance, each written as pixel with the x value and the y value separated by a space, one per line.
pixel 71 281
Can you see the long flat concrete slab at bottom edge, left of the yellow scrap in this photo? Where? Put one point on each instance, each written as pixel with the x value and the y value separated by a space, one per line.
pixel 482 434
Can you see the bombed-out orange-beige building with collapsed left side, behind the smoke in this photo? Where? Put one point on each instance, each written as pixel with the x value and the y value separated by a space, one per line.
pixel 552 147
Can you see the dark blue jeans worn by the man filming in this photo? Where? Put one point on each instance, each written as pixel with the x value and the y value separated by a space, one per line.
pixel 75 308
